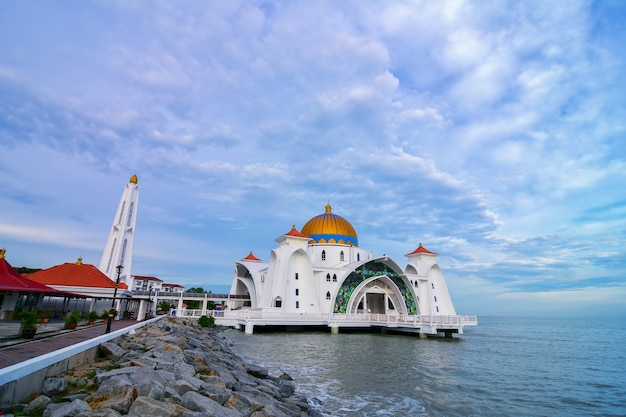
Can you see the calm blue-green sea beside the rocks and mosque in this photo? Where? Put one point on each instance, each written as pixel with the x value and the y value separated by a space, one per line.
pixel 504 367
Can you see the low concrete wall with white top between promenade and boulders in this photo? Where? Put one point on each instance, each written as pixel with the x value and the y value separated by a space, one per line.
pixel 20 381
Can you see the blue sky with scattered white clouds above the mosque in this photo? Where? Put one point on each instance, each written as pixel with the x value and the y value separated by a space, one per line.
pixel 491 131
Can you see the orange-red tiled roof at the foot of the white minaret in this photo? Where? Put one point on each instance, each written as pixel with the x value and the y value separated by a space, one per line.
pixel 75 275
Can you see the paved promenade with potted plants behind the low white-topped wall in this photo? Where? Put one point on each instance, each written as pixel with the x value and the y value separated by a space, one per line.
pixel 49 337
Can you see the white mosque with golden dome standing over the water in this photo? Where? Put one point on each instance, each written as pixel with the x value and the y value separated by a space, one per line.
pixel 319 276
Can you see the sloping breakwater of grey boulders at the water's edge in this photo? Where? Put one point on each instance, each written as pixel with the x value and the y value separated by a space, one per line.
pixel 169 368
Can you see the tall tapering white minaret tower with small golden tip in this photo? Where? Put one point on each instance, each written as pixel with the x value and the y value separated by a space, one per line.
pixel 119 248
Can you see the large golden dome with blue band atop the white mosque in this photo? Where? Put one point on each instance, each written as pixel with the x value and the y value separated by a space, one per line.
pixel 330 228
